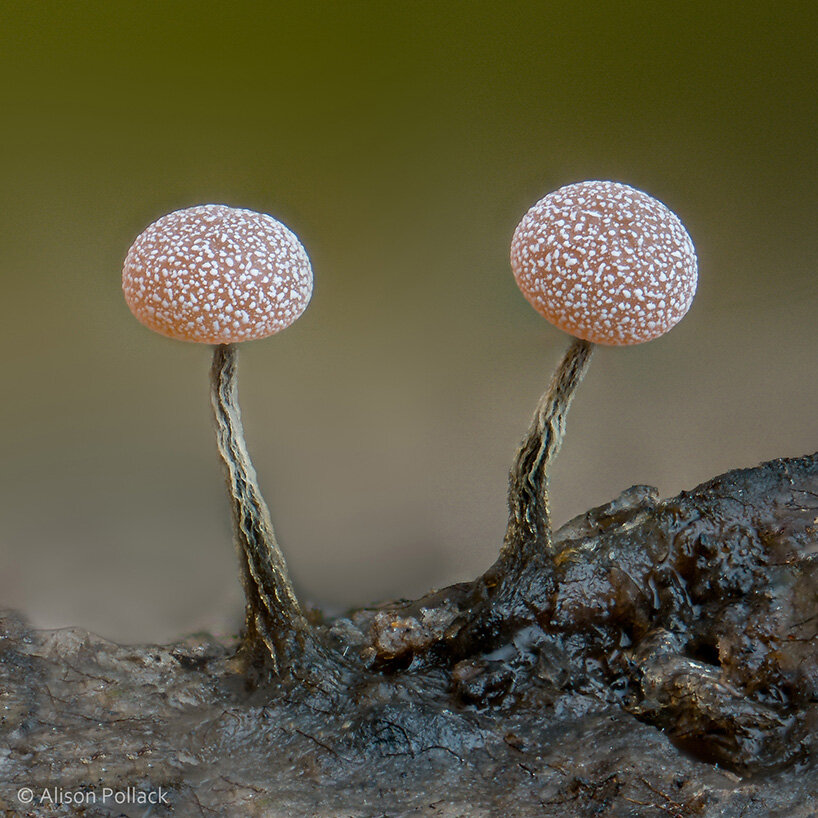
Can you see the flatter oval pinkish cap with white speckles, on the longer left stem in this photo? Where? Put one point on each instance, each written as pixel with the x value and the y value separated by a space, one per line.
pixel 217 274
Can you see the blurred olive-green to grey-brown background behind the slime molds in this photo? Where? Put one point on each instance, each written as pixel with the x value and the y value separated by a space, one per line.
pixel 402 142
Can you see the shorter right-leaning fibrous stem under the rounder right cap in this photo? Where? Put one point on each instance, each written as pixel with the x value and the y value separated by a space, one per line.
pixel 529 524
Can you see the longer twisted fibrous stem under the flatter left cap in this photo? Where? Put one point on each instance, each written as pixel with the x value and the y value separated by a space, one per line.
pixel 275 622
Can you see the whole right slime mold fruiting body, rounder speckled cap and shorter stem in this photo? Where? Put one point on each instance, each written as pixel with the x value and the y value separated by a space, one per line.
pixel 608 264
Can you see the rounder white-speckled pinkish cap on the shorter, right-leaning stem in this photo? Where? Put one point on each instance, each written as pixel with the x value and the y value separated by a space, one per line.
pixel 605 262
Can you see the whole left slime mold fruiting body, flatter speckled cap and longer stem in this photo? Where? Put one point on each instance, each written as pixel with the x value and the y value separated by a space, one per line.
pixel 220 275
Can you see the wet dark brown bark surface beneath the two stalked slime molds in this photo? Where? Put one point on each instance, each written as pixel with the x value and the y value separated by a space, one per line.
pixel 659 659
